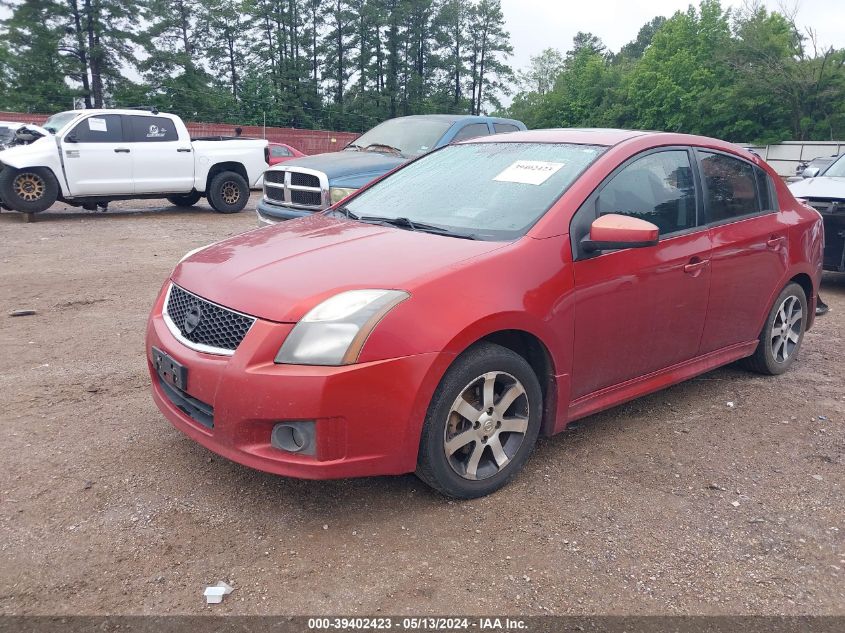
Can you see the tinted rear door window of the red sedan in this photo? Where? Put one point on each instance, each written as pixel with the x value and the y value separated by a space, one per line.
pixel 730 187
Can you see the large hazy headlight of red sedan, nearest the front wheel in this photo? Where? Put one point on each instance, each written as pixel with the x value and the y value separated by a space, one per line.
pixel 334 332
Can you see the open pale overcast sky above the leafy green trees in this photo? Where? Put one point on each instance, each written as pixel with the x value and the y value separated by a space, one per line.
pixel 538 24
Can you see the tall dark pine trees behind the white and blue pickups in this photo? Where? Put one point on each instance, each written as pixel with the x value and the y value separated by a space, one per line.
pixel 331 64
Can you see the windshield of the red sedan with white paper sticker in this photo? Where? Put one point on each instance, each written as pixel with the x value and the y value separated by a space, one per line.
pixel 490 191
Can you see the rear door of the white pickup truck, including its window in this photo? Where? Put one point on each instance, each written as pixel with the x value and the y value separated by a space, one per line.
pixel 163 162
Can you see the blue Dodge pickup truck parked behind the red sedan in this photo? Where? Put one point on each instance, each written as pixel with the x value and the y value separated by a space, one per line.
pixel 306 185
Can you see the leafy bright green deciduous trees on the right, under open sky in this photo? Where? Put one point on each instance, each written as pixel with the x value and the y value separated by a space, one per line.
pixel 745 75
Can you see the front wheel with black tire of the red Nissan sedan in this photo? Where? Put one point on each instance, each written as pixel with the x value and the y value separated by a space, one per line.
pixel 451 474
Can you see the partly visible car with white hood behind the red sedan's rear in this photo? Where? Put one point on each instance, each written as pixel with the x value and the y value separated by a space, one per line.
pixel 826 194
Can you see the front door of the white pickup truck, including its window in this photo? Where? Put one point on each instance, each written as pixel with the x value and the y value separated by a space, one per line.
pixel 97 158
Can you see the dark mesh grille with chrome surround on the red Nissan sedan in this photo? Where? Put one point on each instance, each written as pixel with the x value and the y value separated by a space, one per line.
pixel 203 325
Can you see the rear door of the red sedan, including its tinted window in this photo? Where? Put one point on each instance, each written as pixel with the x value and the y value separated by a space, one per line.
pixel 749 248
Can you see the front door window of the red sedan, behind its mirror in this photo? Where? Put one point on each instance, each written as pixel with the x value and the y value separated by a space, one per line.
pixel 658 188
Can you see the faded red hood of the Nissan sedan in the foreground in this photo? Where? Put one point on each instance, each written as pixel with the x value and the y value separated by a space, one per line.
pixel 280 272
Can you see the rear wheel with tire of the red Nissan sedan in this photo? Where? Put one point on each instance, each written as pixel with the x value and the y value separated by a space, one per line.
pixel 779 343
